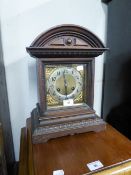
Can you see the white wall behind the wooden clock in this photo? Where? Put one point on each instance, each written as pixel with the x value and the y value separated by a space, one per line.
pixel 21 22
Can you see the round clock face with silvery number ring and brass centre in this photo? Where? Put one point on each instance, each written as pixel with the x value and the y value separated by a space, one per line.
pixel 65 83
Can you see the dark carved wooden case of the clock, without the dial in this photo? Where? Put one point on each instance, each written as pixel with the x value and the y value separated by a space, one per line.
pixel 65 44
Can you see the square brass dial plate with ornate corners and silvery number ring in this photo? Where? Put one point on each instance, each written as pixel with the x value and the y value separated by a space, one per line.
pixel 64 82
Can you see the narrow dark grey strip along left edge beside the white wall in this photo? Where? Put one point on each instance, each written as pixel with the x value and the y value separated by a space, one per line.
pixel 5 116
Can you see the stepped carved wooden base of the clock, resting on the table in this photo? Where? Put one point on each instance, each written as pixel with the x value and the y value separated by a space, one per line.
pixel 46 129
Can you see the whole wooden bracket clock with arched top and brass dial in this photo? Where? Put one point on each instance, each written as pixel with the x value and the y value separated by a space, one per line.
pixel 65 62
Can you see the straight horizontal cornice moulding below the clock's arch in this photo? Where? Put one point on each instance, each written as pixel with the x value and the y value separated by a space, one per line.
pixel 74 52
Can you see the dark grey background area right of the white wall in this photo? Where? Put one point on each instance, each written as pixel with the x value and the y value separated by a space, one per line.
pixel 116 108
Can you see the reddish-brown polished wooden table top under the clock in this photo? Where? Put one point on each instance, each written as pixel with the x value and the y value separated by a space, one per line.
pixel 72 153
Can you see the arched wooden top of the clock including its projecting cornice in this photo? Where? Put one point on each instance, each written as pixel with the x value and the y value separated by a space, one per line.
pixel 66 41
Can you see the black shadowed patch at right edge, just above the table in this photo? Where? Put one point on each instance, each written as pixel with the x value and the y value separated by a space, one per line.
pixel 120 116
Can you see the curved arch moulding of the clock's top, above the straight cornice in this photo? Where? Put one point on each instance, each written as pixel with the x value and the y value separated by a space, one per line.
pixel 65 31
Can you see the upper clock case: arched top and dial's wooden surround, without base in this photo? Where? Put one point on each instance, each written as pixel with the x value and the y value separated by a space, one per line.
pixel 53 47
